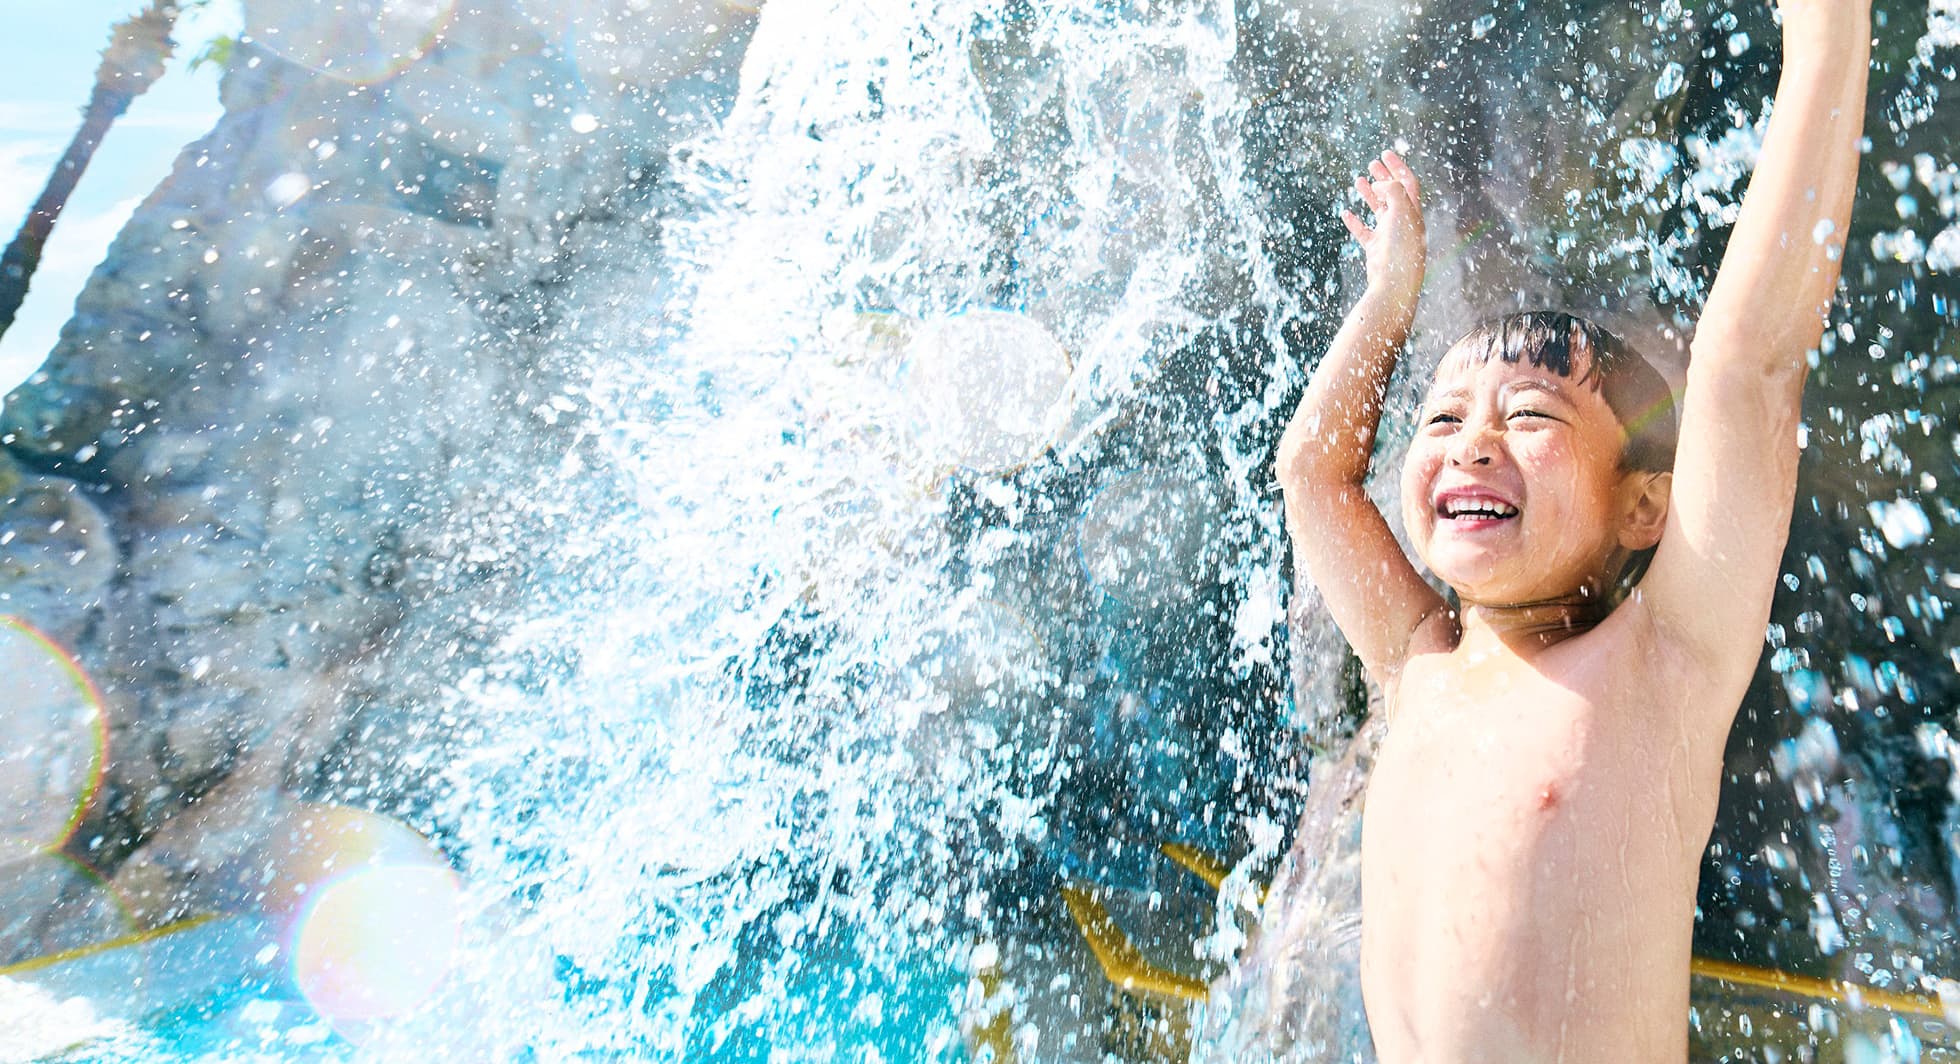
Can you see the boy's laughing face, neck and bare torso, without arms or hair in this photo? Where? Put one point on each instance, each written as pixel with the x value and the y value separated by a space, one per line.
pixel 1538 814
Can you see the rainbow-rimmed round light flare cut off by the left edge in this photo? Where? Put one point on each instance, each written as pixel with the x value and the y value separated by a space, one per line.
pixel 54 734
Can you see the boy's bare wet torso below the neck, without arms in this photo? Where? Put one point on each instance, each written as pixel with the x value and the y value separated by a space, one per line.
pixel 1530 851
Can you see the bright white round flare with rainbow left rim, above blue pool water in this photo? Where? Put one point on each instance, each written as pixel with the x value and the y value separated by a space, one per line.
pixel 377 943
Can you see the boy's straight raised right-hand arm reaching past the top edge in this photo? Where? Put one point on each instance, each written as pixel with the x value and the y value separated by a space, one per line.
pixel 1736 471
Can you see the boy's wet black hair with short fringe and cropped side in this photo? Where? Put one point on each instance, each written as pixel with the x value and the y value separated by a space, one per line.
pixel 1632 387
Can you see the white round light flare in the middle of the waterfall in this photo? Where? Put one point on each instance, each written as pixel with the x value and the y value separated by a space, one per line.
pixel 985 389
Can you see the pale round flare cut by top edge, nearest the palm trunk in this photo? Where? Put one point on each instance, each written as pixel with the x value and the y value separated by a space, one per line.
pixel 362 42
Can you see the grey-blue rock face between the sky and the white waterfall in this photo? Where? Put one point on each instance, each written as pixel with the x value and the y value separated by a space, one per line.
pixel 260 485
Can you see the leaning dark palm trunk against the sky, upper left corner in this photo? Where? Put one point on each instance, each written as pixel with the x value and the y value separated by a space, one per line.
pixel 138 50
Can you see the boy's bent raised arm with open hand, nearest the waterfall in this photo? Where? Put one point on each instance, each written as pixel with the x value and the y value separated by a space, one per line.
pixel 1340 536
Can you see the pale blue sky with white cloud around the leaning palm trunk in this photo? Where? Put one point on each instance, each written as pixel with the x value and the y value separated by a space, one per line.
pixel 48 66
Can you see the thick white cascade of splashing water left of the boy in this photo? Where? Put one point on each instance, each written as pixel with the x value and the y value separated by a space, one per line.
pixel 807 722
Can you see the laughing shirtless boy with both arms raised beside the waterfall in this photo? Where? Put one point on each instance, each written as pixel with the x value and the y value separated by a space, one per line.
pixel 1547 785
